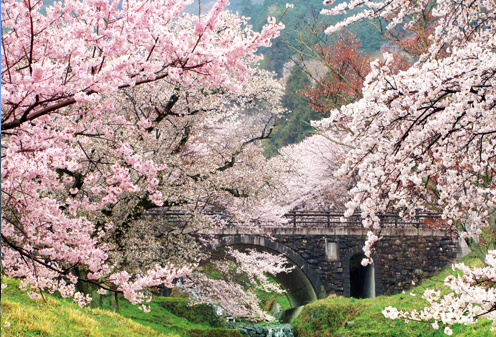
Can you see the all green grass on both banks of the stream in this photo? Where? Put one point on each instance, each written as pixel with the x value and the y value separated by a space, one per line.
pixel 173 317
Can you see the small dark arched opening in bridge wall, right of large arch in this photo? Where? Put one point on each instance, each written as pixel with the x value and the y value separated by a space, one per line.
pixel 362 278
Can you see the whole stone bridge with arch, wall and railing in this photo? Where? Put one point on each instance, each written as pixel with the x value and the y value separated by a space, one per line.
pixel 327 256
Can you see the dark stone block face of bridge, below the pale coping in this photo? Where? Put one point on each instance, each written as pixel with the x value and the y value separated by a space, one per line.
pixel 398 260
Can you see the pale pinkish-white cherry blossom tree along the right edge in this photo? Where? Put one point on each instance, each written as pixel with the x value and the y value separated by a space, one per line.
pixel 425 139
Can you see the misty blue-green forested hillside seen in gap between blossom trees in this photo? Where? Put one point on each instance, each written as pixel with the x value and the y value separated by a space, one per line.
pixel 294 126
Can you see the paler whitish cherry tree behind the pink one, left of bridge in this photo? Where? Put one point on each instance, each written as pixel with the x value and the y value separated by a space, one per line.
pixel 212 161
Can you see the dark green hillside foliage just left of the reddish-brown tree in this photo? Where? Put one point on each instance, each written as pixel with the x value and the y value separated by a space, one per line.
pixel 295 126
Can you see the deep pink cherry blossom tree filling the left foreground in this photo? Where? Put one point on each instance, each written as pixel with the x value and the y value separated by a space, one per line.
pixel 71 154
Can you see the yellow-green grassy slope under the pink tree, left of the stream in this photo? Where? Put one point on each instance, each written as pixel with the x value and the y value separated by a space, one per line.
pixel 62 317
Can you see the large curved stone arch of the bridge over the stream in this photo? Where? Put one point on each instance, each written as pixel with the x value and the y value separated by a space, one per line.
pixel 302 284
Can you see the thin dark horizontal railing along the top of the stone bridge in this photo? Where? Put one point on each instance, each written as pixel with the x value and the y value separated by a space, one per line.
pixel 336 219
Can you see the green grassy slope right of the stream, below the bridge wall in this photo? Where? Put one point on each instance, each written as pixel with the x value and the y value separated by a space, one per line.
pixel 328 317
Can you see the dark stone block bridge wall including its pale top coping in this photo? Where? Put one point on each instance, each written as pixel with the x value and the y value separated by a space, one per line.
pixel 401 256
